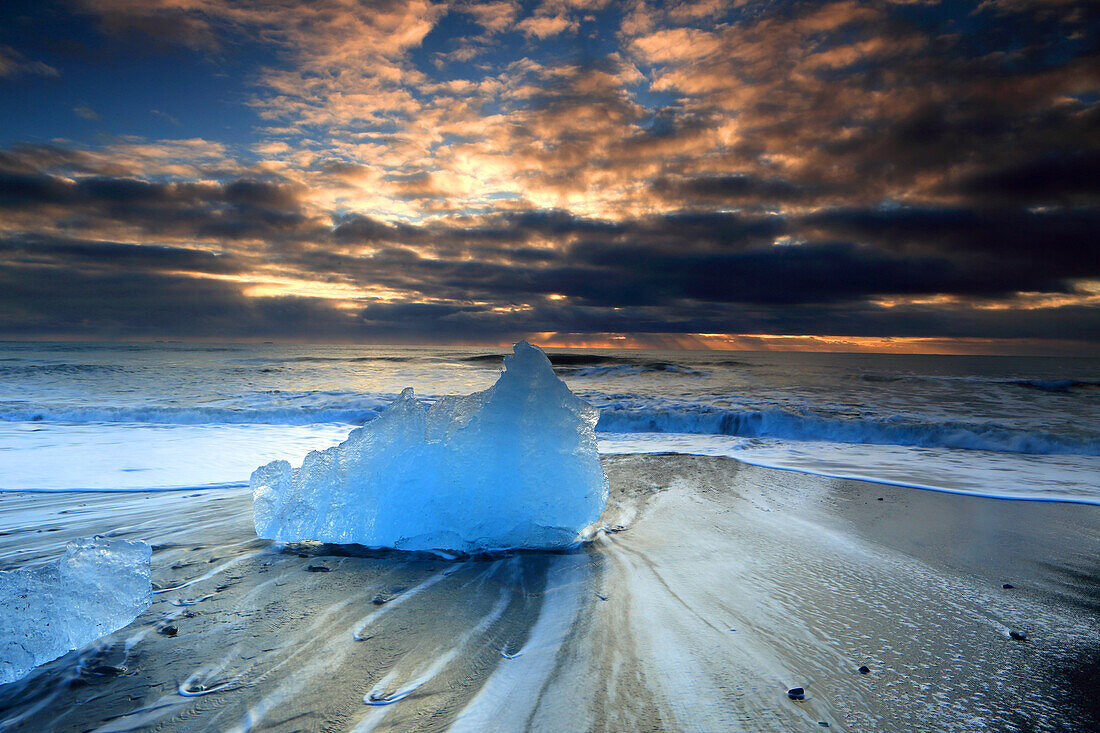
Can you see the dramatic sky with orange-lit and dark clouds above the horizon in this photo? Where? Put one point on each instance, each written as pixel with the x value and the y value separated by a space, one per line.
pixel 907 176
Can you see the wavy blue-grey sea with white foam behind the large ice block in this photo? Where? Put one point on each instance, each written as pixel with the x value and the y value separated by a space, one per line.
pixel 171 417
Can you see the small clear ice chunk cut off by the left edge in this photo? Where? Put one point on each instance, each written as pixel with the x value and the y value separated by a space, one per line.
pixel 97 588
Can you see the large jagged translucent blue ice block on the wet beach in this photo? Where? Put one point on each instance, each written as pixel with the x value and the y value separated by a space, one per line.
pixel 512 467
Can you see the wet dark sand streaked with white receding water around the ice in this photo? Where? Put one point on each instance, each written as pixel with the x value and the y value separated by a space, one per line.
pixel 717 588
